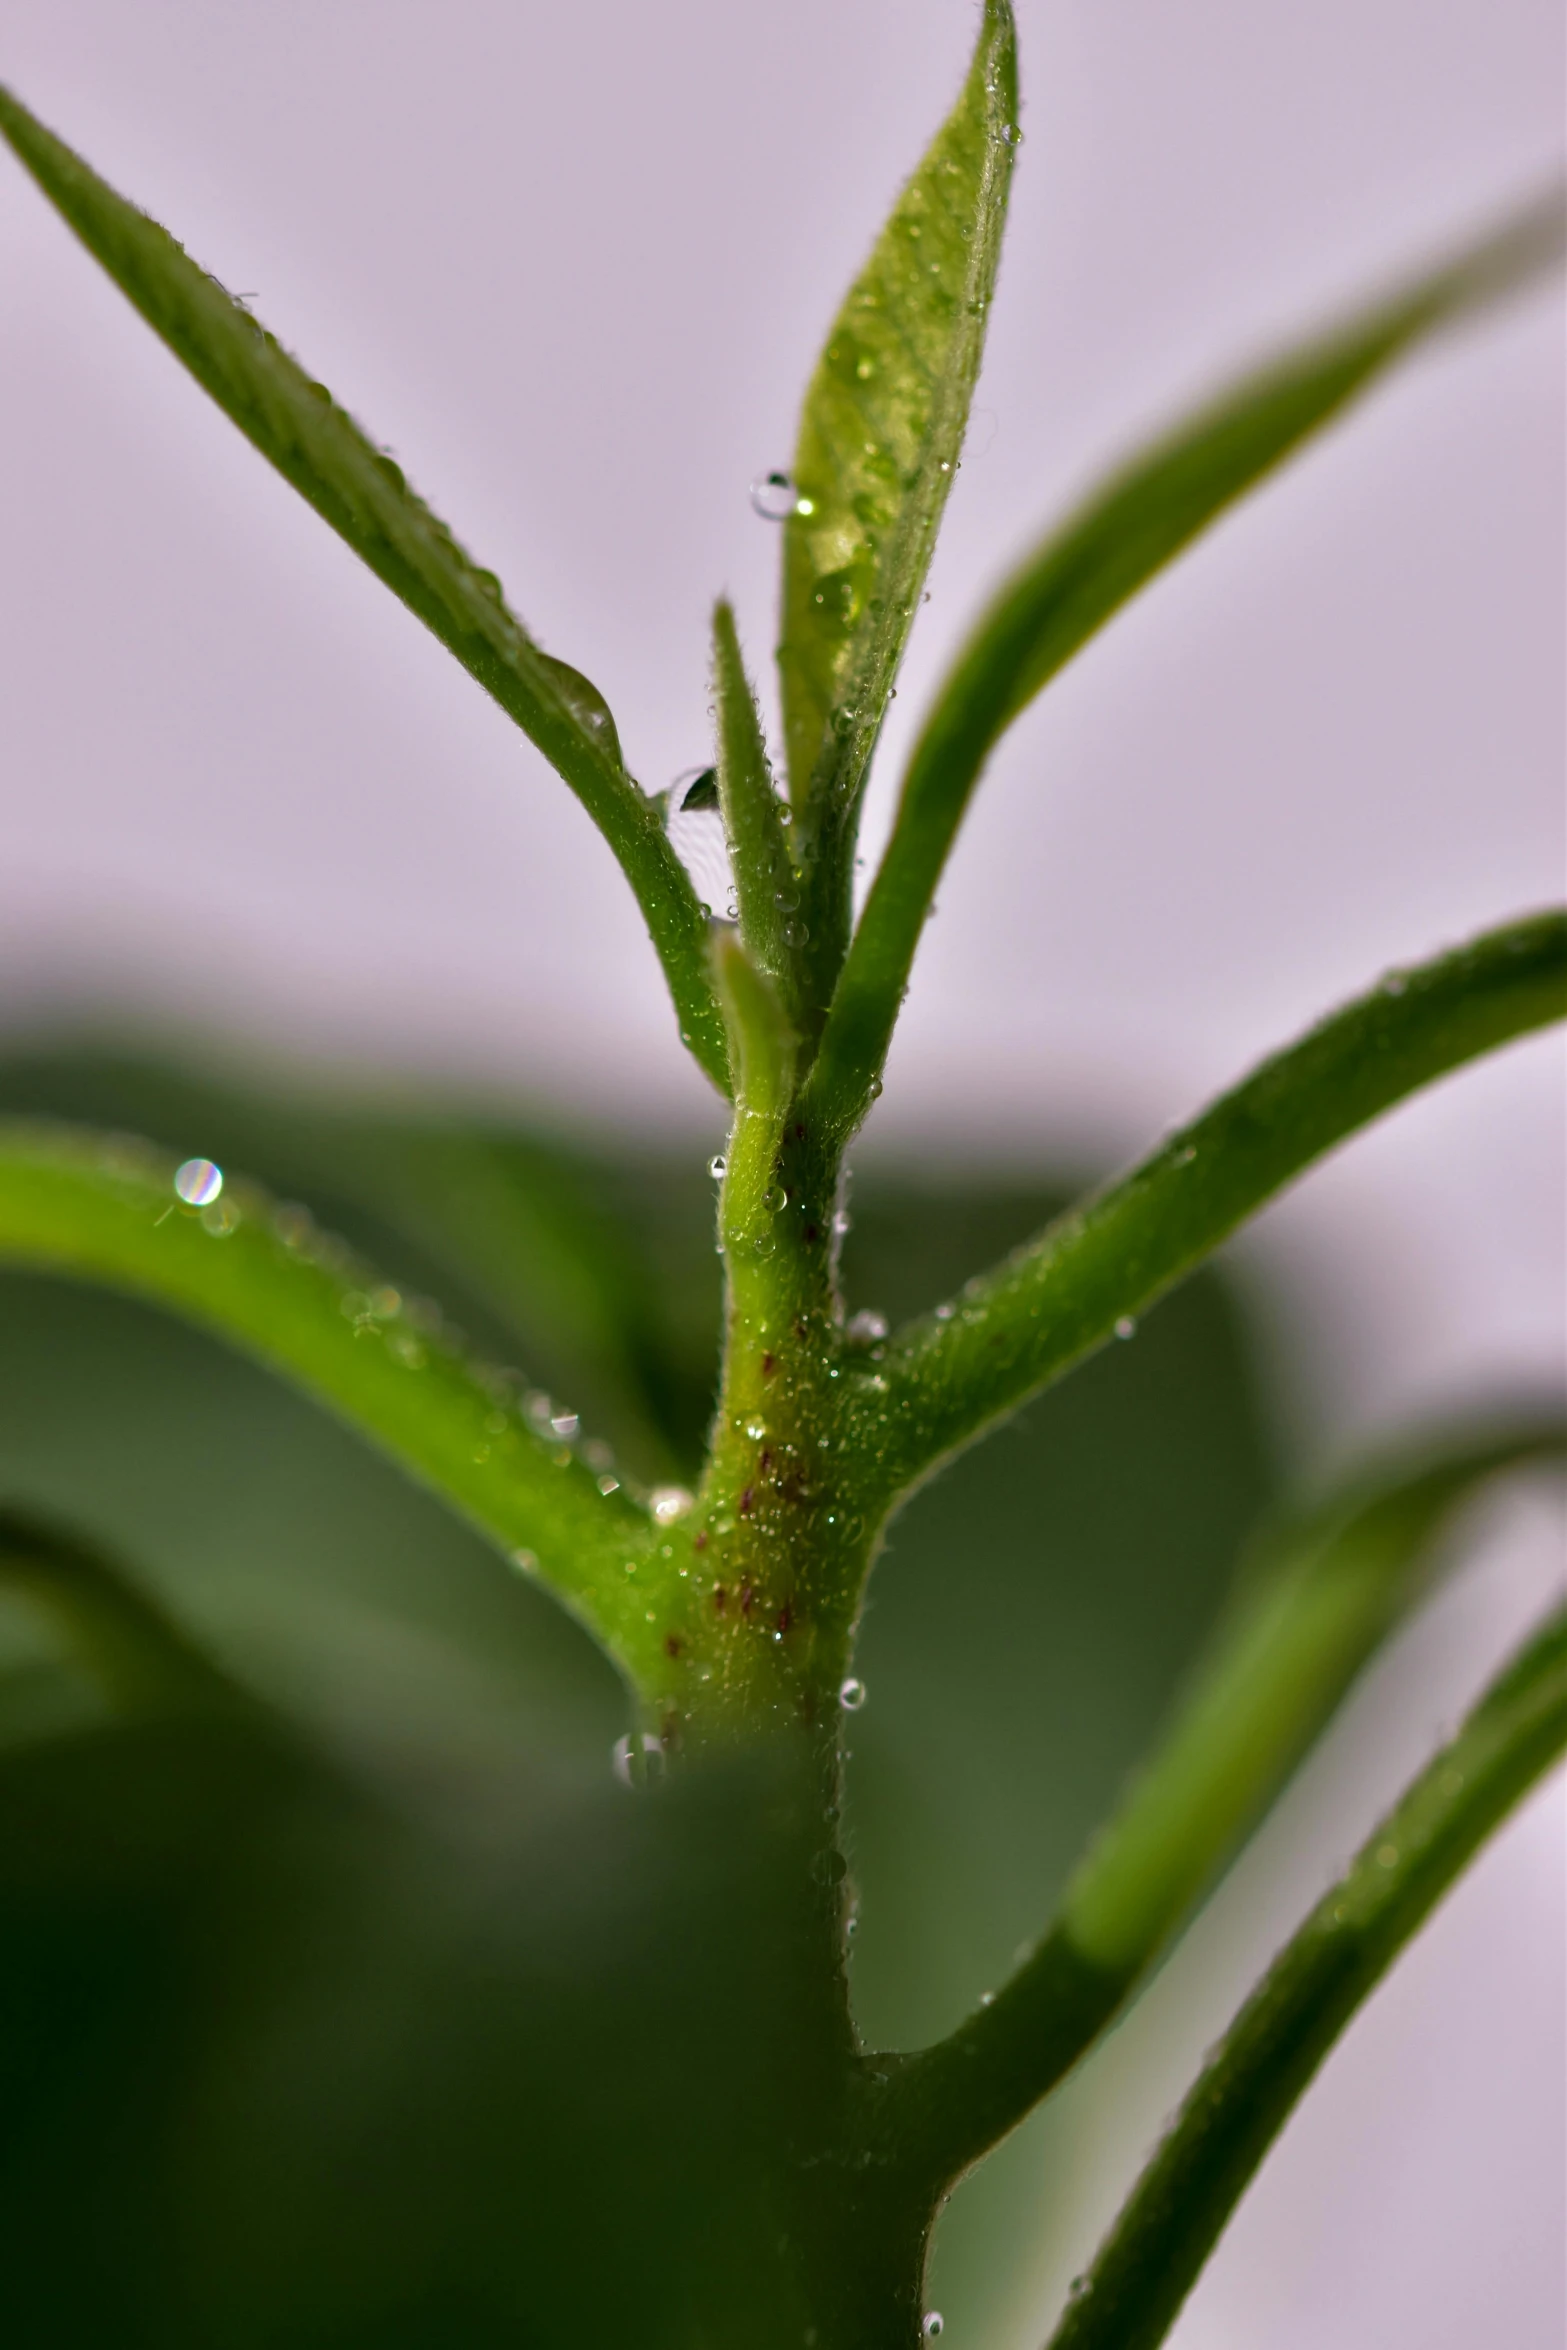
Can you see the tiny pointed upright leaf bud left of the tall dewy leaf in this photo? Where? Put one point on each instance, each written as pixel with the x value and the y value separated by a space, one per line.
pixel 767 887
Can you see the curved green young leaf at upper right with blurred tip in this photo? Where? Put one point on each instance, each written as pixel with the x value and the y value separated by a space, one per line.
pixel 1119 539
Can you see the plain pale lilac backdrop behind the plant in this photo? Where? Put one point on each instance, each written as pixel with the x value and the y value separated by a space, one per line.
pixel 570 264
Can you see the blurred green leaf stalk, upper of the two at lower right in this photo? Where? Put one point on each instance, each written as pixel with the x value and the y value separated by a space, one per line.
pixel 1314 1604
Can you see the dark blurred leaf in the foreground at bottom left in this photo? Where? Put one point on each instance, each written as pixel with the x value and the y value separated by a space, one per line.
pixel 307 2062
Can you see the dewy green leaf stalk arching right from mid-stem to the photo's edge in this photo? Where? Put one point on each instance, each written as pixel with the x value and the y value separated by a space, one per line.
pixel 957 1371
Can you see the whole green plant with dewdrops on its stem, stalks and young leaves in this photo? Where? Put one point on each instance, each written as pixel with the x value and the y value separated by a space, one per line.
pixel 781 2182
